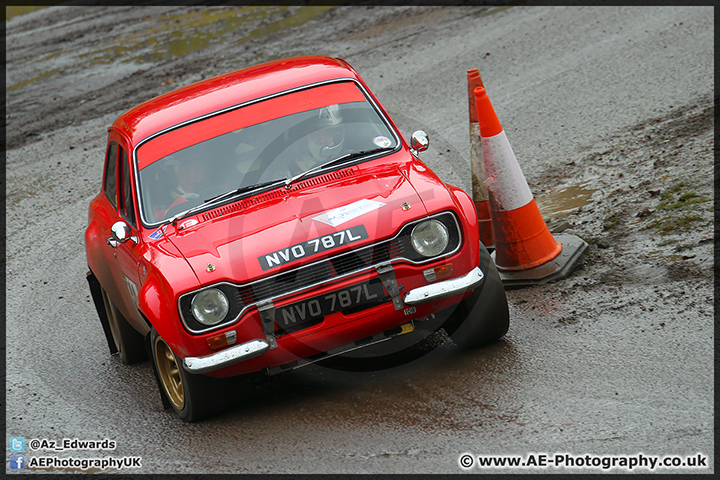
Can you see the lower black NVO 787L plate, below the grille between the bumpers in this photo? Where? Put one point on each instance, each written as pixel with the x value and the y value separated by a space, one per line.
pixel 308 312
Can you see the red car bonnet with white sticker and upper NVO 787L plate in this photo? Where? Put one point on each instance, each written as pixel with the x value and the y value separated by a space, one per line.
pixel 280 229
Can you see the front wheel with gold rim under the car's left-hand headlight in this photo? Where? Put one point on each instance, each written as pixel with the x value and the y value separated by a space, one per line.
pixel 191 396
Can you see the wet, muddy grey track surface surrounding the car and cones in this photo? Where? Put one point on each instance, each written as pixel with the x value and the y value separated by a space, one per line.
pixel 611 114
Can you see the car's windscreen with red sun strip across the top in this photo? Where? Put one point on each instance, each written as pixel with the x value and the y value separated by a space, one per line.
pixel 273 139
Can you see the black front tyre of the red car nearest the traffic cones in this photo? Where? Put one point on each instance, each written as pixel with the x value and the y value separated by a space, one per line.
pixel 483 317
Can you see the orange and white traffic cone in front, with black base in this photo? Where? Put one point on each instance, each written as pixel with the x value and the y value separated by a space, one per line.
pixel 526 253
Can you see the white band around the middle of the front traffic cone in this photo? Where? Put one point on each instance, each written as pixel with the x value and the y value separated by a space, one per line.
pixel 505 181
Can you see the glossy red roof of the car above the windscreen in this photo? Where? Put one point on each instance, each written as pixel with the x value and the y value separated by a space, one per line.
pixel 227 90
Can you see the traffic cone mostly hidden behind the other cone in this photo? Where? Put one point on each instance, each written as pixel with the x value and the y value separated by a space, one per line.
pixel 477 165
